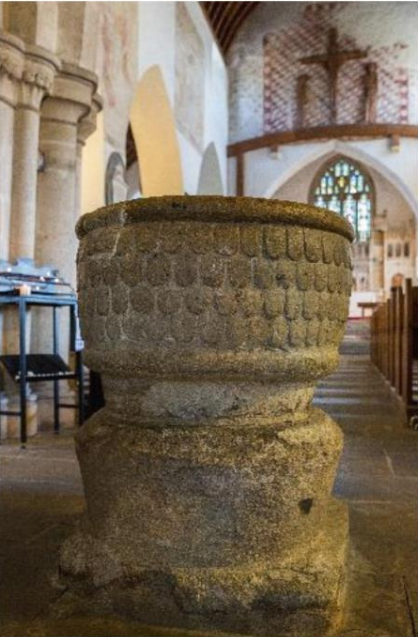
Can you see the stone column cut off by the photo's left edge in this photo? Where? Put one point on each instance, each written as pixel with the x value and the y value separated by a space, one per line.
pixel 11 69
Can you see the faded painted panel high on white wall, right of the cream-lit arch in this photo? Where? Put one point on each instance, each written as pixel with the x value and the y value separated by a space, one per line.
pixel 189 81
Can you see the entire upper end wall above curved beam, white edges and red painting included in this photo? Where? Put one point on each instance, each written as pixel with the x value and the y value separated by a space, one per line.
pixel 324 63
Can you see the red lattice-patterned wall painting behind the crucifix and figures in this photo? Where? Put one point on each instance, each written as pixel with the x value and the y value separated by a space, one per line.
pixel 335 83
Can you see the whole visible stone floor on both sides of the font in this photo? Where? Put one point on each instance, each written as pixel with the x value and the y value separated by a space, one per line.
pixel 41 499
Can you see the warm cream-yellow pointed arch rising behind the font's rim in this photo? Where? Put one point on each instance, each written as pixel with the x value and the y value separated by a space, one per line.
pixel 154 131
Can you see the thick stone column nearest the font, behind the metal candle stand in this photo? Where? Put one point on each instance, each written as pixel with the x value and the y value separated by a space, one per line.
pixel 57 208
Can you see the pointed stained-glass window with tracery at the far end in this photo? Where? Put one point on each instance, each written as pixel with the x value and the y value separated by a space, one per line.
pixel 343 186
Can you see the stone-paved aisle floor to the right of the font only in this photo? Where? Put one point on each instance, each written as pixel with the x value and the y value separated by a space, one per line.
pixel 378 478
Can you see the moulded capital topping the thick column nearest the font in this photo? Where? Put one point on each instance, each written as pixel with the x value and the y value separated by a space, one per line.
pixel 71 95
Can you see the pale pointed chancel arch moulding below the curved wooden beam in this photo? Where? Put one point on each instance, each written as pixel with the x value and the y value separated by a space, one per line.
pixel 336 147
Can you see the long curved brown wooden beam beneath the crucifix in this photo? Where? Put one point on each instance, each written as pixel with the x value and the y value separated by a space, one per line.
pixel 322 132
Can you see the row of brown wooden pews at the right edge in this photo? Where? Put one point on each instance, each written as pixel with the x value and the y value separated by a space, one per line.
pixel 394 345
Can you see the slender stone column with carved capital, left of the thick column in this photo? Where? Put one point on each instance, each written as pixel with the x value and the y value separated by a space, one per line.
pixel 38 74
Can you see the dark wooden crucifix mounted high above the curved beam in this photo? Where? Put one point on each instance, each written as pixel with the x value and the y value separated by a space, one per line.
pixel 332 61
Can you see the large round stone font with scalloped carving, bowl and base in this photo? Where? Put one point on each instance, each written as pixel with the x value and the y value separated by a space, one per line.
pixel 208 474
